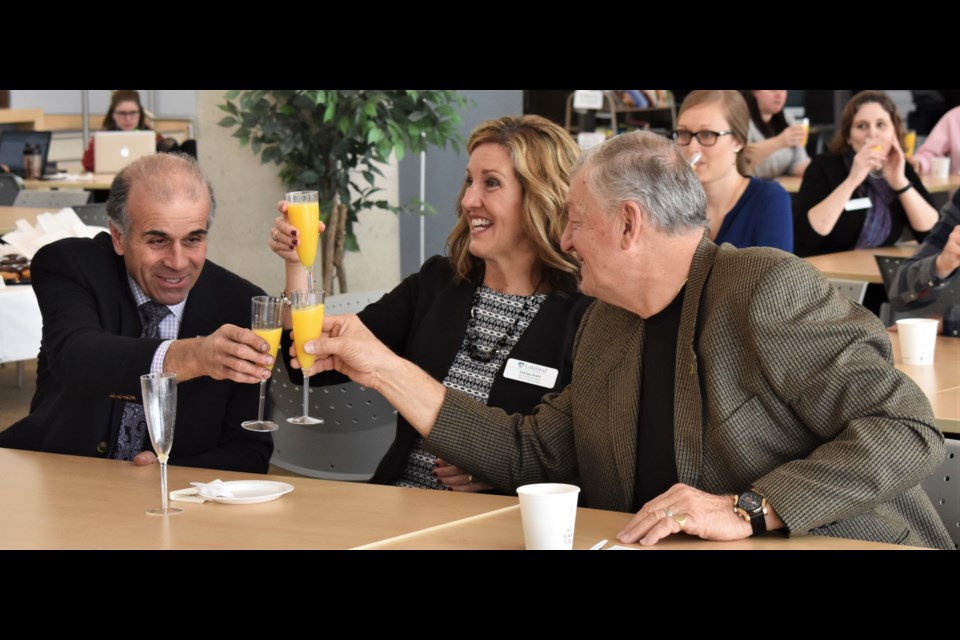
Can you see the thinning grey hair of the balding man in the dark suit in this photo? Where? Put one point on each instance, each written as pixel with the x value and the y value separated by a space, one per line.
pixel 163 175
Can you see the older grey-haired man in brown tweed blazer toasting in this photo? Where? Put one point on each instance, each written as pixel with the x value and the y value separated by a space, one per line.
pixel 717 391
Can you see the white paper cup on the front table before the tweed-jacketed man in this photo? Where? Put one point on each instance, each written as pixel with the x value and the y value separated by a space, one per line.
pixel 549 514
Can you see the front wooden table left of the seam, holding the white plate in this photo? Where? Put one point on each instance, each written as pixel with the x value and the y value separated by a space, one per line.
pixel 69 502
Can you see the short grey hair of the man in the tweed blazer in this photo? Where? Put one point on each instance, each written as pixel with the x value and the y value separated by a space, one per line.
pixel 647 169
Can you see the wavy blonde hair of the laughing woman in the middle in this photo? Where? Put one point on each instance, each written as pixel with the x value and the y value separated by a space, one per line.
pixel 542 154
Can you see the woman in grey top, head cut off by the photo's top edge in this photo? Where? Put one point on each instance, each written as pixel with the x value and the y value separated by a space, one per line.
pixel 774 142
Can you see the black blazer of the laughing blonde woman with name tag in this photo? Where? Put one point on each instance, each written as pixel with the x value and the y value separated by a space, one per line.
pixel 424 319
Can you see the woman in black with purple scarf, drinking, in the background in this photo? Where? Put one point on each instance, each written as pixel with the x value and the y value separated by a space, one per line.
pixel 863 193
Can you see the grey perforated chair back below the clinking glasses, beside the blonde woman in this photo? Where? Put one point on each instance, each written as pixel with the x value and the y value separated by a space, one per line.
pixel 359 424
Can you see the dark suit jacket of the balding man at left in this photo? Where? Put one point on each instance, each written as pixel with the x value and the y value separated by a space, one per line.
pixel 92 357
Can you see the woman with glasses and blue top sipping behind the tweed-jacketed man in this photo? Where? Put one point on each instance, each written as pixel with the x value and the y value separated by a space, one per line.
pixel 743 211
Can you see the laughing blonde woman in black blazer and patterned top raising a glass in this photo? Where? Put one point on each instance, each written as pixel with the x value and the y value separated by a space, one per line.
pixel 504 300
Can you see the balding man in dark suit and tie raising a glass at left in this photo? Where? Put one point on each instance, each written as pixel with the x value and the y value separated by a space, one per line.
pixel 145 299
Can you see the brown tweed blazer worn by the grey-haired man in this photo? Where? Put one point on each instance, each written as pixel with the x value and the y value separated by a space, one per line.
pixel 781 385
